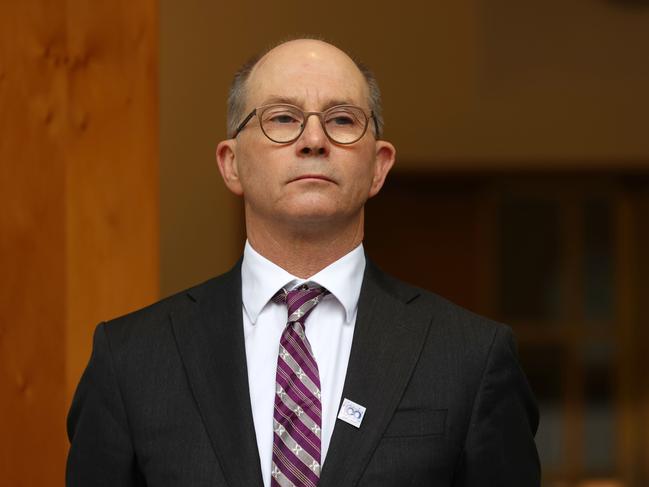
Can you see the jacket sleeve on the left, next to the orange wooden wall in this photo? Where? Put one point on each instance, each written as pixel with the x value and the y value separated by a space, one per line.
pixel 101 451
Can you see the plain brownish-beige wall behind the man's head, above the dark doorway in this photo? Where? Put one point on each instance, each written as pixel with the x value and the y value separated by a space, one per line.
pixel 477 84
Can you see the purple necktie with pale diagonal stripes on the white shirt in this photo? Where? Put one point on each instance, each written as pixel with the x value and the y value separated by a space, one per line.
pixel 297 420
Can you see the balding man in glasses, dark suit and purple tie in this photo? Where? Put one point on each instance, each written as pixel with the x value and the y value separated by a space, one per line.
pixel 304 365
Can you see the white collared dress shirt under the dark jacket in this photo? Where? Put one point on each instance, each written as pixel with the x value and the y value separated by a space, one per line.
pixel 329 328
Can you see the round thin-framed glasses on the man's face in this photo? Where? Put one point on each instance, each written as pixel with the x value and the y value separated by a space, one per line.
pixel 283 124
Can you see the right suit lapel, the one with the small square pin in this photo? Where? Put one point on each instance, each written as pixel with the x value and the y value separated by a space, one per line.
pixel 388 338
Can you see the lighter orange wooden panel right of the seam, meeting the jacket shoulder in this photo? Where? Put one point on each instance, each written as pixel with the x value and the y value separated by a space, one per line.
pixel 112 161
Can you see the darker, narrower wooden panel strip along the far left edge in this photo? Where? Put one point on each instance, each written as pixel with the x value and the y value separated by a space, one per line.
pixel 32 245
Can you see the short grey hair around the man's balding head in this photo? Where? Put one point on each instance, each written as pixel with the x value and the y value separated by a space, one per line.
pixel 237 93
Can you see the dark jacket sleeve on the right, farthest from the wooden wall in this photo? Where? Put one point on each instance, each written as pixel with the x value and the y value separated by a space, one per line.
pixel 499 449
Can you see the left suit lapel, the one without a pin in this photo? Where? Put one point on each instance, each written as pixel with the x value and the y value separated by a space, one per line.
pixel 209 334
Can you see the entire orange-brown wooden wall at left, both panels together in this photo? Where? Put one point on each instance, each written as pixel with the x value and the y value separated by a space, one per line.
pixel 79 214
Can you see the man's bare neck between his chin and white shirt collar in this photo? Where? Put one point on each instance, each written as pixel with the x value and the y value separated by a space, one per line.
pixel 304 251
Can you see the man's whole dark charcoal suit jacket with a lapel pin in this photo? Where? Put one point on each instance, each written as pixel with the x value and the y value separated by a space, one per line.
pixel 164 400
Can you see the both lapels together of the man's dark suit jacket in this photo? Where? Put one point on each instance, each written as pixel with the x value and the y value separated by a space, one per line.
pixel 209 334
